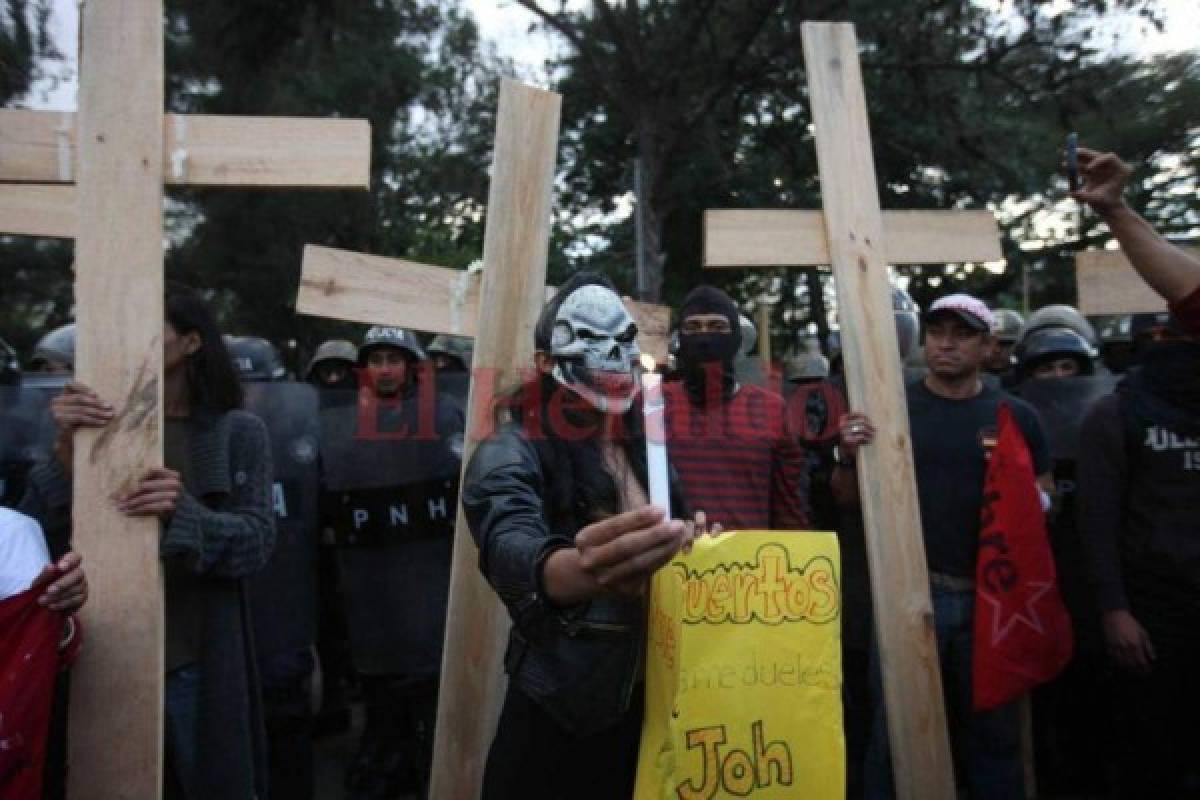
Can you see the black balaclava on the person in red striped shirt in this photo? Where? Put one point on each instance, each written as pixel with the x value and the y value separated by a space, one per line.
pixel 704 356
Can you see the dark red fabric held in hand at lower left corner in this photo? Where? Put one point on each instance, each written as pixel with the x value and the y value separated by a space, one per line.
pixel 29 665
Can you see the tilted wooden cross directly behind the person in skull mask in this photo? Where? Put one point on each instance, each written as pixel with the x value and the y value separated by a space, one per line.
pixel 500 312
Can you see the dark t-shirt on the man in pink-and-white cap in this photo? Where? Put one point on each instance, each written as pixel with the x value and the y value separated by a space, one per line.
pixel 949 450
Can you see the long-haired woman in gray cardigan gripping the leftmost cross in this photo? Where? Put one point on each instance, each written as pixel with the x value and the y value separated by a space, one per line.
pixel 214 498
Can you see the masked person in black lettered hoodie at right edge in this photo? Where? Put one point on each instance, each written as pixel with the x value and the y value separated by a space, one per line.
pixel 1139 495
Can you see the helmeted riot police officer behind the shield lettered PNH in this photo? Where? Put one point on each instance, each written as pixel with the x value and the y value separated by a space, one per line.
pixel 391 472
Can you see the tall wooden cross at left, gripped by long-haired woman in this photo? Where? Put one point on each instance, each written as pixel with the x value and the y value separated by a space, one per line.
pixel 99 177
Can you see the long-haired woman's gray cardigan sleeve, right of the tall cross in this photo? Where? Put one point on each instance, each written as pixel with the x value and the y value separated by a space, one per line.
pixel 235 540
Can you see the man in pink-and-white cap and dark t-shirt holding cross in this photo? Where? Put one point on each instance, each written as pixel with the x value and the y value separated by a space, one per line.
pixel 953 417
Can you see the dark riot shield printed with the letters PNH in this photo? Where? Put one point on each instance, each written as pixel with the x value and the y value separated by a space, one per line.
pixel 391 491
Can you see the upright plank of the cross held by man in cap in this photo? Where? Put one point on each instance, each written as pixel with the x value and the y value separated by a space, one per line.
pixel 904 618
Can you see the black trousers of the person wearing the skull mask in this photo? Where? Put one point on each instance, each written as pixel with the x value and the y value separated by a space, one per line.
pixel 535 759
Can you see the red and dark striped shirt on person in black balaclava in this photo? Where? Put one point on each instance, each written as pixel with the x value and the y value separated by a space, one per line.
pixel 739 461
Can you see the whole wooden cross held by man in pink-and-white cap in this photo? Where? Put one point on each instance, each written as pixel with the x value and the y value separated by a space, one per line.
pixel 860 242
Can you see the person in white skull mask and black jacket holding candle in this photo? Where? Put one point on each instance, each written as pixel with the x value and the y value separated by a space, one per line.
pixel 556 500
